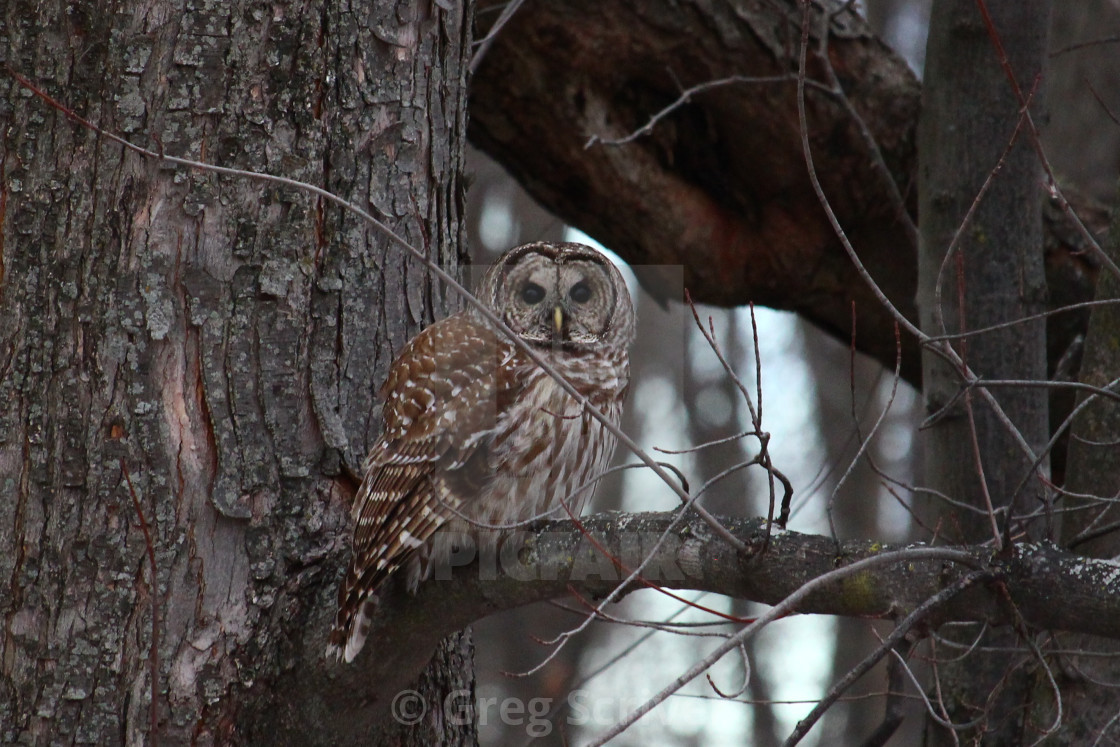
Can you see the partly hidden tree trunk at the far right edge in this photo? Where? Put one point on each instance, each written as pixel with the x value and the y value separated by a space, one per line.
pixel 1085 148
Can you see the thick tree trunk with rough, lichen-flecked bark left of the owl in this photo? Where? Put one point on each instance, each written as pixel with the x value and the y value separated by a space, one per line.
pixel 195 358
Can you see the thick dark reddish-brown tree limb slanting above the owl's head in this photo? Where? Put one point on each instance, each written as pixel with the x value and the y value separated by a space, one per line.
pixel 720 185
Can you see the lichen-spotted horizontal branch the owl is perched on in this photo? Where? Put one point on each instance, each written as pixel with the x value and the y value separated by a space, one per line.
pixel 1051 589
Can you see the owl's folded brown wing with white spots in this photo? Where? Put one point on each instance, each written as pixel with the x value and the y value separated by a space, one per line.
pixel 442 399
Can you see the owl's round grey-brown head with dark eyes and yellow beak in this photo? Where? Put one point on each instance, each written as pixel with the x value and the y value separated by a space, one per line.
pixel 563 295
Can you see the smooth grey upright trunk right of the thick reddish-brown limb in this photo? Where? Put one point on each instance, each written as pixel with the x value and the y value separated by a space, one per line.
pixel 994 275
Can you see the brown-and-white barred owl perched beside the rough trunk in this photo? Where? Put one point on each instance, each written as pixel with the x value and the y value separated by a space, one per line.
pixel 478 435
